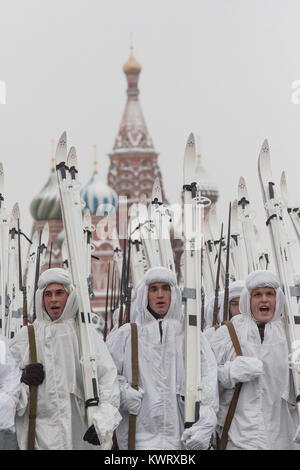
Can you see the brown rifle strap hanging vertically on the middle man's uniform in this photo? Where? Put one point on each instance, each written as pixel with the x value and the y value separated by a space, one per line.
pixel 134 384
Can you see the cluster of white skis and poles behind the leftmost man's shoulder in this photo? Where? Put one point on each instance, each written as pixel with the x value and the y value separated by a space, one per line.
pixel 21 260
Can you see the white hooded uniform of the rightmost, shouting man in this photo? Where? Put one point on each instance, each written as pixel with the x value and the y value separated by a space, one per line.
pixel 265 416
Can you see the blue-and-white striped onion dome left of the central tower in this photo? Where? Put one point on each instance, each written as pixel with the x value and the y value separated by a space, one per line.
pixel 98 197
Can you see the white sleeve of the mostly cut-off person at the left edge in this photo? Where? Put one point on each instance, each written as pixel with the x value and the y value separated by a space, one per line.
pixel 9 386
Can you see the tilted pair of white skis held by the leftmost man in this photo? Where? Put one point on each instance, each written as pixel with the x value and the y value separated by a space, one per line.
pixel 69 190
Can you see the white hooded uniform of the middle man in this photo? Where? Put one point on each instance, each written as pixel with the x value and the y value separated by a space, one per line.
pixel 159 421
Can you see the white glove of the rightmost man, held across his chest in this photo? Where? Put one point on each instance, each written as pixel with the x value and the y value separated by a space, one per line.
pixel 244 369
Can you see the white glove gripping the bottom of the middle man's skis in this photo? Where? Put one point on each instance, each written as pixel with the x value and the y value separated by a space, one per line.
pixel 198 436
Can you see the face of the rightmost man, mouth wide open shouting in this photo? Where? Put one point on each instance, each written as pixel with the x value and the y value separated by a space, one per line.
pixel 263 303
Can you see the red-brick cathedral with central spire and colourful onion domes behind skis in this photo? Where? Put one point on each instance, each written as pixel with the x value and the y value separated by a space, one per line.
pixel 133 169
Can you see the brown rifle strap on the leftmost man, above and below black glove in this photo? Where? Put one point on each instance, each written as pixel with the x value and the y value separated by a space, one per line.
pixel 32 391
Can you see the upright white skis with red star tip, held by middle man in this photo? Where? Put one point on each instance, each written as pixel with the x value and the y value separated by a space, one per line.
pixel 191 292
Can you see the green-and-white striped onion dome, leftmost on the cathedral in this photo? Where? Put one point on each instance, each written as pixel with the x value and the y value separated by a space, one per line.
pixel 46 205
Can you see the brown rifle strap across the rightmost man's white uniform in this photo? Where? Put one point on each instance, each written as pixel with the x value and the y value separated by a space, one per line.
pixel 233 403
